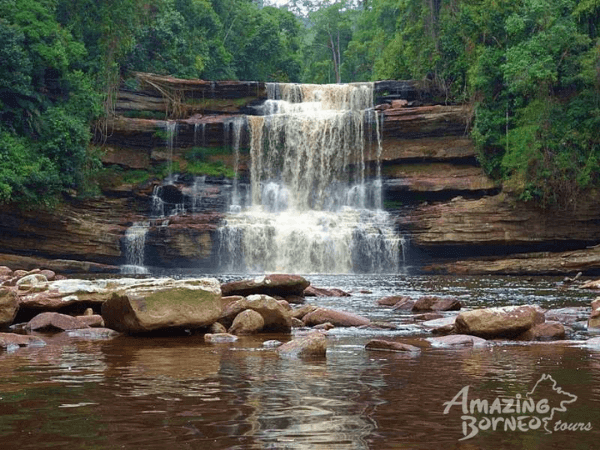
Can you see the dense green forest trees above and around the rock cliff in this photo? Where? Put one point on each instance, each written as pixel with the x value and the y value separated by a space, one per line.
pixel 529 68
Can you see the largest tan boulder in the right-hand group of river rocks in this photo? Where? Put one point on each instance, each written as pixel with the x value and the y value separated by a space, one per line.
pixel 503 322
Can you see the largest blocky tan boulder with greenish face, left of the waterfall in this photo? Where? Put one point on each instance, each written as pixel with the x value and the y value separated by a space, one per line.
pixel 186 305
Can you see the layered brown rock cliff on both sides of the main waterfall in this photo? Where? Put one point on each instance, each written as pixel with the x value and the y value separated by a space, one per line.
pixel 432 182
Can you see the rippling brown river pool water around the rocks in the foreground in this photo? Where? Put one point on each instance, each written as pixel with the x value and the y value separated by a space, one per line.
pixel 178 392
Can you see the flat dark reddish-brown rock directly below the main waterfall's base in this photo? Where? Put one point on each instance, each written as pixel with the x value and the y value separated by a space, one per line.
pixel 277 284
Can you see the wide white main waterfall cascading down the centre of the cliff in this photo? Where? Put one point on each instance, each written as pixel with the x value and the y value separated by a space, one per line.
pixel 315 203
